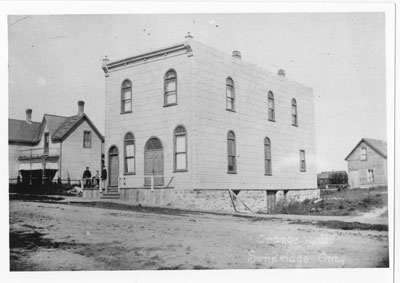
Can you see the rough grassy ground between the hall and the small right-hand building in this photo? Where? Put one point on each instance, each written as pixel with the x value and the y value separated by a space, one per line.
pixel 339 203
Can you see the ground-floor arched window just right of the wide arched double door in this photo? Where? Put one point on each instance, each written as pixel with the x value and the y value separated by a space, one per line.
pixel 180 149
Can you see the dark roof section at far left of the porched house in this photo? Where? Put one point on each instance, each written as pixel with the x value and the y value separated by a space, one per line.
pixel 22 131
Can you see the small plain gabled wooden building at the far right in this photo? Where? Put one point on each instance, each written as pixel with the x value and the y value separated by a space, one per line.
pixel 367 164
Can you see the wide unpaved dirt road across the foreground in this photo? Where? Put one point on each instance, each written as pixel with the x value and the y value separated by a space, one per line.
pixel 54 236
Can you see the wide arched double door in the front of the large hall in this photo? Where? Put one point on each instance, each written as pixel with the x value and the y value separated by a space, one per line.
pixel 153 162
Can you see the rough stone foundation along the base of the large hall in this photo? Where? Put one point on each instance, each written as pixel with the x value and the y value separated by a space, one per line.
pixel 215 200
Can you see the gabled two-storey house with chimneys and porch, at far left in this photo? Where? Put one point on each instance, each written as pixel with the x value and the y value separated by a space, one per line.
pixel 58 148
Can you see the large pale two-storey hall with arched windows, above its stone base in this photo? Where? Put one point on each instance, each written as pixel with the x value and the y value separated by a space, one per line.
pixel 207 121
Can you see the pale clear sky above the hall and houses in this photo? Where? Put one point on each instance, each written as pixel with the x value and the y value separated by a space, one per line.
pixel 54 61
